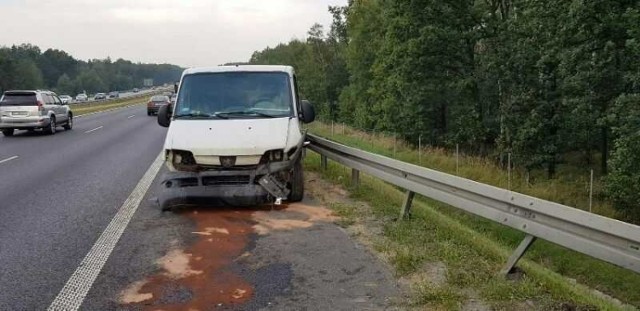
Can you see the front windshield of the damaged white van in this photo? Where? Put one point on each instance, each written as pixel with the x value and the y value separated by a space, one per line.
pixel 235 95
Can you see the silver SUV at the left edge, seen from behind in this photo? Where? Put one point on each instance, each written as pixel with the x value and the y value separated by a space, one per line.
pixel 31 110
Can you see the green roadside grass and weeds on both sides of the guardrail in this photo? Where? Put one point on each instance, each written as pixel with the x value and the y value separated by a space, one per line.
pixel 474 249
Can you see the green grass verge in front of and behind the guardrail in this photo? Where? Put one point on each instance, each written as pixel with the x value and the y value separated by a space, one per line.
pixel 475 249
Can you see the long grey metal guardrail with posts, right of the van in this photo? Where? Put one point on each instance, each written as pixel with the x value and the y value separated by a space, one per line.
pixel 600 237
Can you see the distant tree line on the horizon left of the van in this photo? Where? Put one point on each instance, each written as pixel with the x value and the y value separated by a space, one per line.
pixel 25 66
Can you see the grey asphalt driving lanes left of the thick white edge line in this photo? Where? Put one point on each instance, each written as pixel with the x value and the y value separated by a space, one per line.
pixel 59 194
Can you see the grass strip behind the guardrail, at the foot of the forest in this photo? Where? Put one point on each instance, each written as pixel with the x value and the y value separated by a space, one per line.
pixel 570 187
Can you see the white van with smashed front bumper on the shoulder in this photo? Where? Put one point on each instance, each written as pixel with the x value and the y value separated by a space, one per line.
pixel 235 137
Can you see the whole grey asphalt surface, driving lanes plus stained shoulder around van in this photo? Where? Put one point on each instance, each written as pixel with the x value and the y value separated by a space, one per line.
pixel 58 194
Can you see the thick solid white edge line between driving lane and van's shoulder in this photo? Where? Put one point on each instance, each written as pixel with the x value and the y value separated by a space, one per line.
pixel 77 287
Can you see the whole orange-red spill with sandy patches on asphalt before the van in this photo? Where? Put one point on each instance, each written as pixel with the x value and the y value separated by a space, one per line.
pixel 202 276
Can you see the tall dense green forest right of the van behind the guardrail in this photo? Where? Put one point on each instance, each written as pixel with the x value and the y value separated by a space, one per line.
pixel 553 82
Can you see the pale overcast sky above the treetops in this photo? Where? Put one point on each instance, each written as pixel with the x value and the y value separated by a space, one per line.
pixel 182 32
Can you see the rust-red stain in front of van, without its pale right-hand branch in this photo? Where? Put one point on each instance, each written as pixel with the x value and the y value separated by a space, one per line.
pixel 203 268
